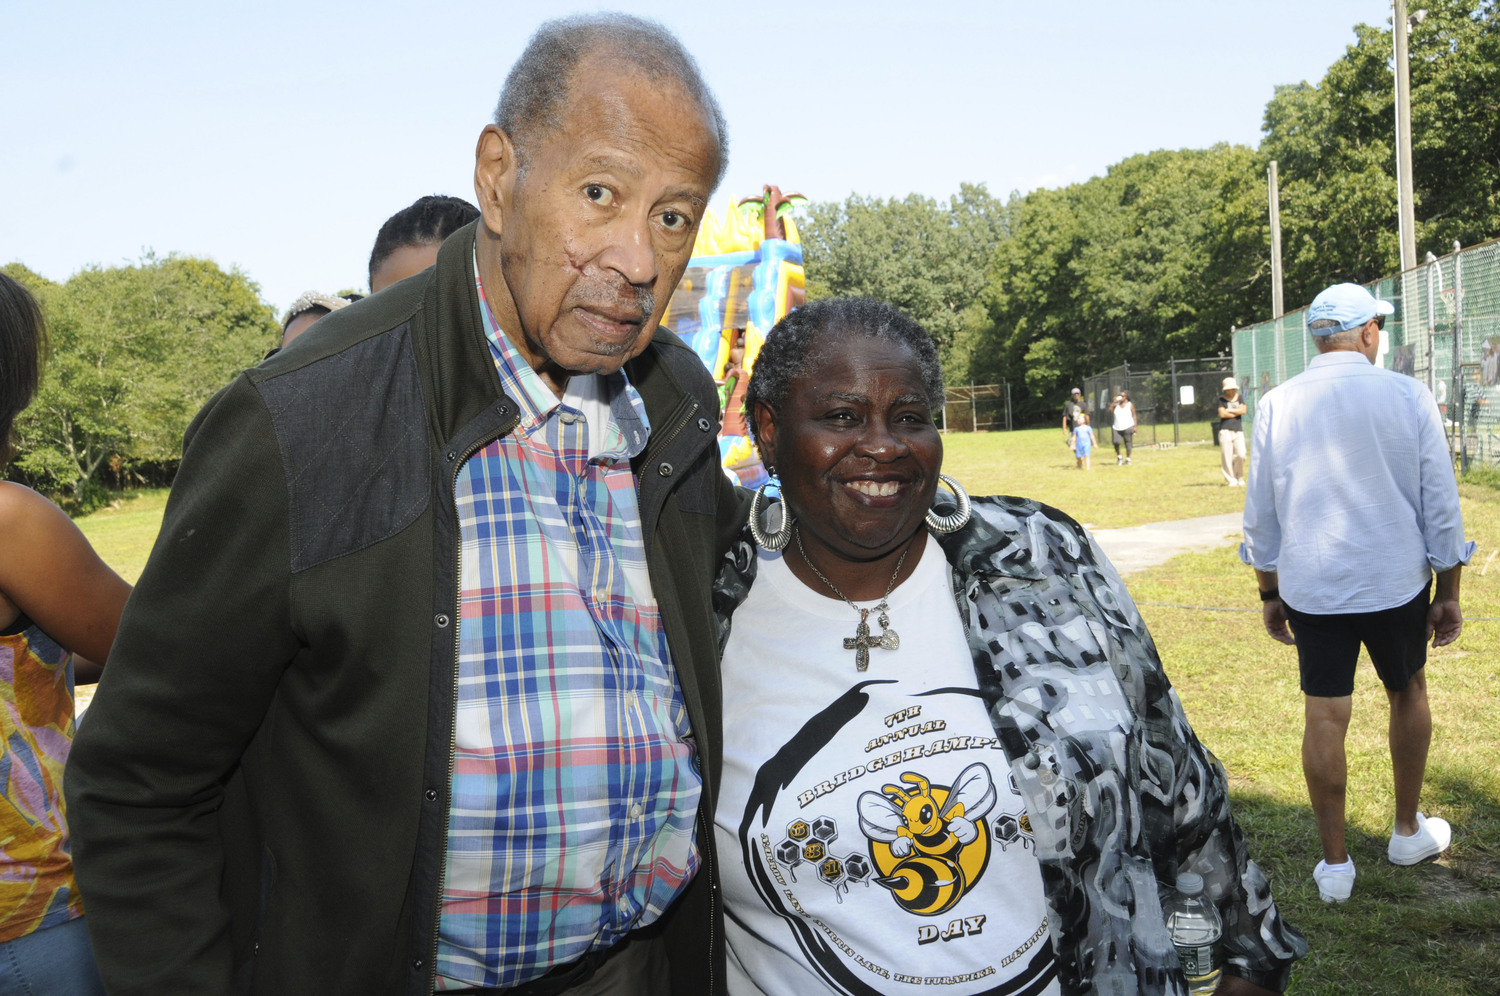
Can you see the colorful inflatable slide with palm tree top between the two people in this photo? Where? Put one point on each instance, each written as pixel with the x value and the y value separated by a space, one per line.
pixel 746 274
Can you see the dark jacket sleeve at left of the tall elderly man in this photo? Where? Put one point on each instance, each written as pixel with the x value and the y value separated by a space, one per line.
pixel 202 647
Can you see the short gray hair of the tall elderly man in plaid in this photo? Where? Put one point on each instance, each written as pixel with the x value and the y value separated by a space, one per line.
pixel 541 83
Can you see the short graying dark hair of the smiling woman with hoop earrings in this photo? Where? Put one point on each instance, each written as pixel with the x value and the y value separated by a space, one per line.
pixel 791 341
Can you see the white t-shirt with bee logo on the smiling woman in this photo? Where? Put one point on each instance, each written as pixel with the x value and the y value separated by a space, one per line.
pixel 848 865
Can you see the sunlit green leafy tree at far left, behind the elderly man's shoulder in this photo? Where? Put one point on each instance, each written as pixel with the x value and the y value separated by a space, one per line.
pixel 136 352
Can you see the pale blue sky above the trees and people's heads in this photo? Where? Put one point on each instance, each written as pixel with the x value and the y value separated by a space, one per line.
pixel 278 137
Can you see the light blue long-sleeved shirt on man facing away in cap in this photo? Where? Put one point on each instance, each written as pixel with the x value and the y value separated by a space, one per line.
pixel 1352 497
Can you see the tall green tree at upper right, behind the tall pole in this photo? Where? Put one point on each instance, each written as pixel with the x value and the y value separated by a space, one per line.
pixel 1336 149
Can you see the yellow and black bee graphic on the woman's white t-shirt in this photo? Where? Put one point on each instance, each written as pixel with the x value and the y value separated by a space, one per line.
pixel 929 842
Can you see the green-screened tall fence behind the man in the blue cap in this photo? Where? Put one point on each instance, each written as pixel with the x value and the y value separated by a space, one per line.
pixel 1445 332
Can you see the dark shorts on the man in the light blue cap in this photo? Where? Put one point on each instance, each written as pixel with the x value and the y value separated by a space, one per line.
pixel 1328 646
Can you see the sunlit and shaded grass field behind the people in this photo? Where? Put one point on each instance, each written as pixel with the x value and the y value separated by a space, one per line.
pixel 1426 932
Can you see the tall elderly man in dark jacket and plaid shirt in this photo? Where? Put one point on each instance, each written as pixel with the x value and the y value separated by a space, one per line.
pixel 419 688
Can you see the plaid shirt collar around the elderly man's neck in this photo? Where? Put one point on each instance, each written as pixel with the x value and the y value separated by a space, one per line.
pixel 614 412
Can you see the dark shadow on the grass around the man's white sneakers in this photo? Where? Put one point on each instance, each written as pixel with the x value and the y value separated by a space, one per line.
pixel 1427 929
